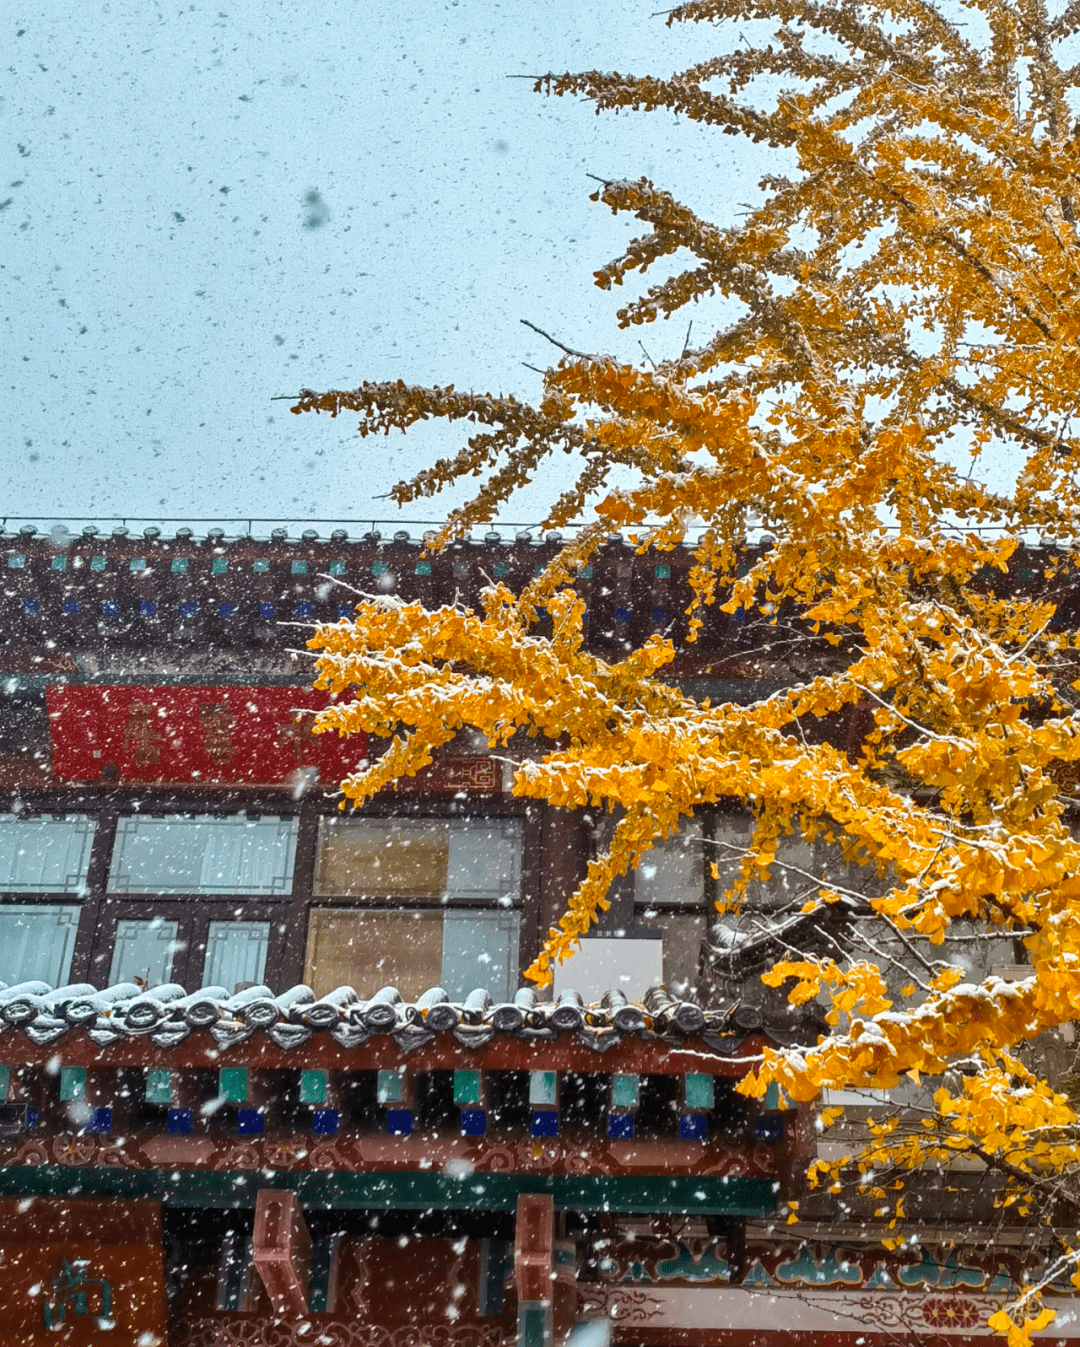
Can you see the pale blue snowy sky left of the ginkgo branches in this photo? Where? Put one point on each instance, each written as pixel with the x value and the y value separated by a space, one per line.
pixel 205 205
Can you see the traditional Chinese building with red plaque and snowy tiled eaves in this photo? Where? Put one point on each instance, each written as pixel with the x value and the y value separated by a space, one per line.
pixel 269 1074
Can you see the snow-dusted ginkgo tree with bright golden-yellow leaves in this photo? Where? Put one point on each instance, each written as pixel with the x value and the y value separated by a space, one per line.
pixel 893 397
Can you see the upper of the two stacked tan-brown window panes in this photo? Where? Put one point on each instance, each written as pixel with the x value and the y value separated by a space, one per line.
pixel 382 859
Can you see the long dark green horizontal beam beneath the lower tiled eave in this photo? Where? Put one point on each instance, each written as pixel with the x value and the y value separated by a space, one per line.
pixel 411 1191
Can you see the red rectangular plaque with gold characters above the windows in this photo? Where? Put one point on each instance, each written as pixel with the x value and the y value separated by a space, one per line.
pixel 172 736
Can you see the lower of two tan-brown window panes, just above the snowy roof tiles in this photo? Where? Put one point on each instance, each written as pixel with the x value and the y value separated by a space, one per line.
pixel 371 950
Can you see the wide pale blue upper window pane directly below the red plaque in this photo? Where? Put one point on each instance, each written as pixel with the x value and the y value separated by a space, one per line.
pixel 188 855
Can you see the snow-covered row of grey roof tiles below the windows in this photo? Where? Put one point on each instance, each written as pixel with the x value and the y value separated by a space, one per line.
pixel 170 1014
